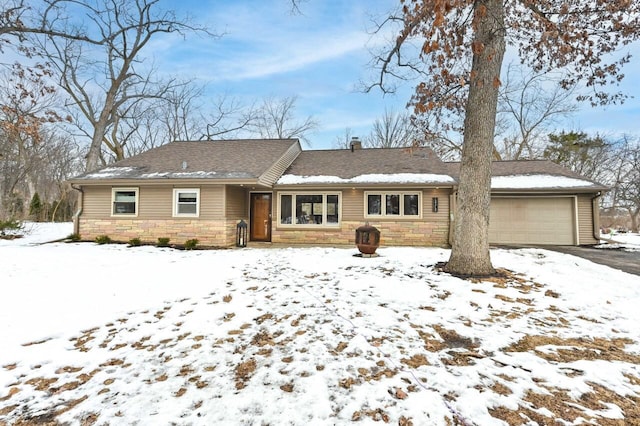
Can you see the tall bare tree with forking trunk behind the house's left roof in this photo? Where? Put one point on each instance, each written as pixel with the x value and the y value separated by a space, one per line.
pixel 105 82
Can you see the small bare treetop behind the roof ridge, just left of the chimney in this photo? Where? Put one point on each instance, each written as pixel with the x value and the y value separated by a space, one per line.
pixel 276 120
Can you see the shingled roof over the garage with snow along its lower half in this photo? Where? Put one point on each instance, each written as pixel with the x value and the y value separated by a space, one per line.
pixel 532 174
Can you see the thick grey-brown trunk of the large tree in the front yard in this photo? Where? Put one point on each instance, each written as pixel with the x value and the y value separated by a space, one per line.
pixel 470 249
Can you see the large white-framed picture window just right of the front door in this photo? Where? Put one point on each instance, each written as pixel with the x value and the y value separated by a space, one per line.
pixel 314 209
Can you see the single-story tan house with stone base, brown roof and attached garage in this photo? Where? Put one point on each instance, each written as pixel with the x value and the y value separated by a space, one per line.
pixel 202 189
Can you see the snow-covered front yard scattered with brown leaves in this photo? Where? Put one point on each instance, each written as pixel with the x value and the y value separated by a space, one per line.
pixel 114 335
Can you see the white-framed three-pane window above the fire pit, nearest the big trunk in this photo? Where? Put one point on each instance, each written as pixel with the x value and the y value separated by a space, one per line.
pixel 392 204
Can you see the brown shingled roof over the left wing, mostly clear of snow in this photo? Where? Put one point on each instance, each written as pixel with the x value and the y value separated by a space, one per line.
pixel 247 159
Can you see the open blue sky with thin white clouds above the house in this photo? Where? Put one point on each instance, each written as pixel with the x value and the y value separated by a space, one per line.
pixel 321 57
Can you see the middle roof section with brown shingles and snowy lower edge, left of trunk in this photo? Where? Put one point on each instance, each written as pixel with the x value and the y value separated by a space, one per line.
pixel 372 165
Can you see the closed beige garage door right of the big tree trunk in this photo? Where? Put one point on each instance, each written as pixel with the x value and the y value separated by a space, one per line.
pixel 532 221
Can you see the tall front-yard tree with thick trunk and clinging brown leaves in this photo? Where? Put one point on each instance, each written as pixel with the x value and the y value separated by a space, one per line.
pixel 461 49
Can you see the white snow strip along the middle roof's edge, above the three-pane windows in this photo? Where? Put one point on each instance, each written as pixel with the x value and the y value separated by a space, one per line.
pixel 369 178
